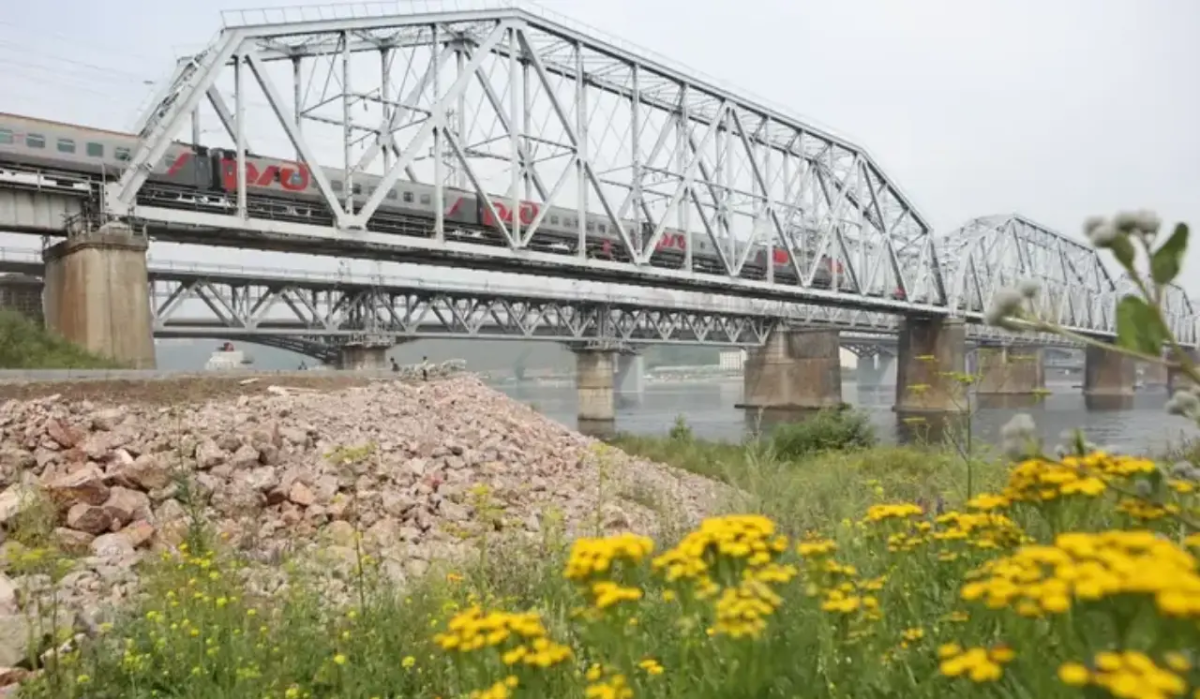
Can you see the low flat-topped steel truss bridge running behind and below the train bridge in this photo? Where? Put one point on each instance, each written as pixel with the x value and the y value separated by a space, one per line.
pixel 315 314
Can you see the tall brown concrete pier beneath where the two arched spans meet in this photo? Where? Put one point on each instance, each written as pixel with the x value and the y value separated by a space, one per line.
pixel 929 350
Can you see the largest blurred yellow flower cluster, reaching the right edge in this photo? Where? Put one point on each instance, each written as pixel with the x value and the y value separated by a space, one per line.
pixel 1091 566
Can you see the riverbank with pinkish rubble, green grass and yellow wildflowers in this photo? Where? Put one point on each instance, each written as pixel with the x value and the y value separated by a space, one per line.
pixel 856 560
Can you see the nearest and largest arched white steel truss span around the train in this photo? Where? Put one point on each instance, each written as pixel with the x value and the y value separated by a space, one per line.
pixel 547 120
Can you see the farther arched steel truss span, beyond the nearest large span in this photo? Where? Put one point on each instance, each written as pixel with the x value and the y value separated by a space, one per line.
pixel 1077 291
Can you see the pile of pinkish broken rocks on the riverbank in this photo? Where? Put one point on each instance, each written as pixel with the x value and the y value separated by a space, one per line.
pixel 415 468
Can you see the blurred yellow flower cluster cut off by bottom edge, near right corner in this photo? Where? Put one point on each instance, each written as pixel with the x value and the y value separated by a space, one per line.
pixel 1130 674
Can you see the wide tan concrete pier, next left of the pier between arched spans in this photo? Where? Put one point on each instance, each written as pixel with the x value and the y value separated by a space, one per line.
pixel 796 371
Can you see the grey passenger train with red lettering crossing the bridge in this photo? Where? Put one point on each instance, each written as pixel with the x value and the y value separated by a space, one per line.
pixel 285 189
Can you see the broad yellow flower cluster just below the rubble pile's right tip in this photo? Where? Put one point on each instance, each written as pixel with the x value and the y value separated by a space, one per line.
pixel 748 539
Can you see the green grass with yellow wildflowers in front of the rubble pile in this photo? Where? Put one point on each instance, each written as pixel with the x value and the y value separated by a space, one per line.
pixel 865 598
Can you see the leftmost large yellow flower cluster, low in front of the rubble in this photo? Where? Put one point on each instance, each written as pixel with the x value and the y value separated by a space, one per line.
pixel 521 638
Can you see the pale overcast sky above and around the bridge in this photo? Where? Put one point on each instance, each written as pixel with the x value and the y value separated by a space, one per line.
pixel 1055 110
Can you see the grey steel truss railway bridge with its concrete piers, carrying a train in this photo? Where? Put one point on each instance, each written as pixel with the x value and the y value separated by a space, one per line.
pixel 500 138
